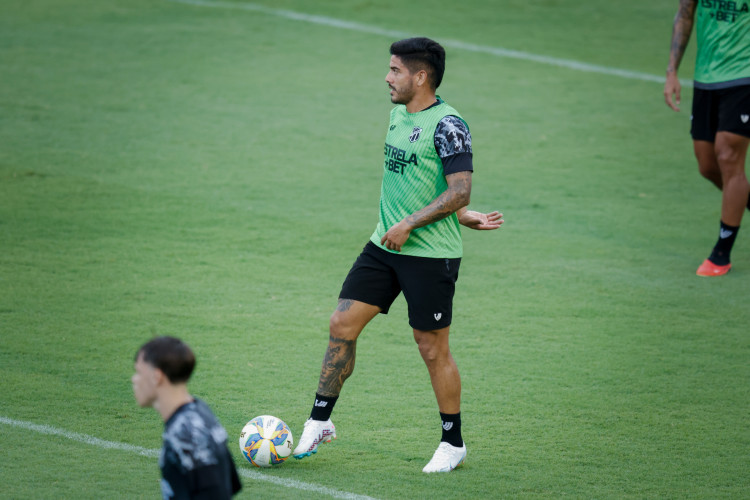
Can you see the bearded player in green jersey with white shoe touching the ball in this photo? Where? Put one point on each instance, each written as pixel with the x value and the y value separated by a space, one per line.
pixel 415 249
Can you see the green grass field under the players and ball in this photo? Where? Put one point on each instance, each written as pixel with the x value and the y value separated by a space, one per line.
pixel 212 171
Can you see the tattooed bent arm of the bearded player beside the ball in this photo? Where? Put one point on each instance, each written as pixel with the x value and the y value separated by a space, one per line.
pixel 451 200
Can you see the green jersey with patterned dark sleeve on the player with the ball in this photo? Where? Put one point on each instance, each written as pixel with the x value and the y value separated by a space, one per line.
pixel 416 148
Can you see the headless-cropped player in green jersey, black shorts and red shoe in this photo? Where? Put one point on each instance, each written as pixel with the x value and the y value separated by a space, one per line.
pixel 720 121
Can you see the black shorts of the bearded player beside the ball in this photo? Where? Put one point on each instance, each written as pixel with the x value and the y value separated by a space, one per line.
pixel 378 277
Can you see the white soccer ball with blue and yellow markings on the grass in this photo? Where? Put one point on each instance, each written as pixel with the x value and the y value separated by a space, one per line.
pixel 266 441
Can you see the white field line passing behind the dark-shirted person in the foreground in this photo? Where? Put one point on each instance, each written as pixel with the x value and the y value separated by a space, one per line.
pixel 113 445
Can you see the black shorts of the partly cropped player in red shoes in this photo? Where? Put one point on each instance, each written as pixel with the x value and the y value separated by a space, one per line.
pixel 720 110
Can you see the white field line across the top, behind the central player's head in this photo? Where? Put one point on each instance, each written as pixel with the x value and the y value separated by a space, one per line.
pixel 456 44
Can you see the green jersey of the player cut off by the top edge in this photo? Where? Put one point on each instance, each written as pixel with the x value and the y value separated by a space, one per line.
pixel 723 29
